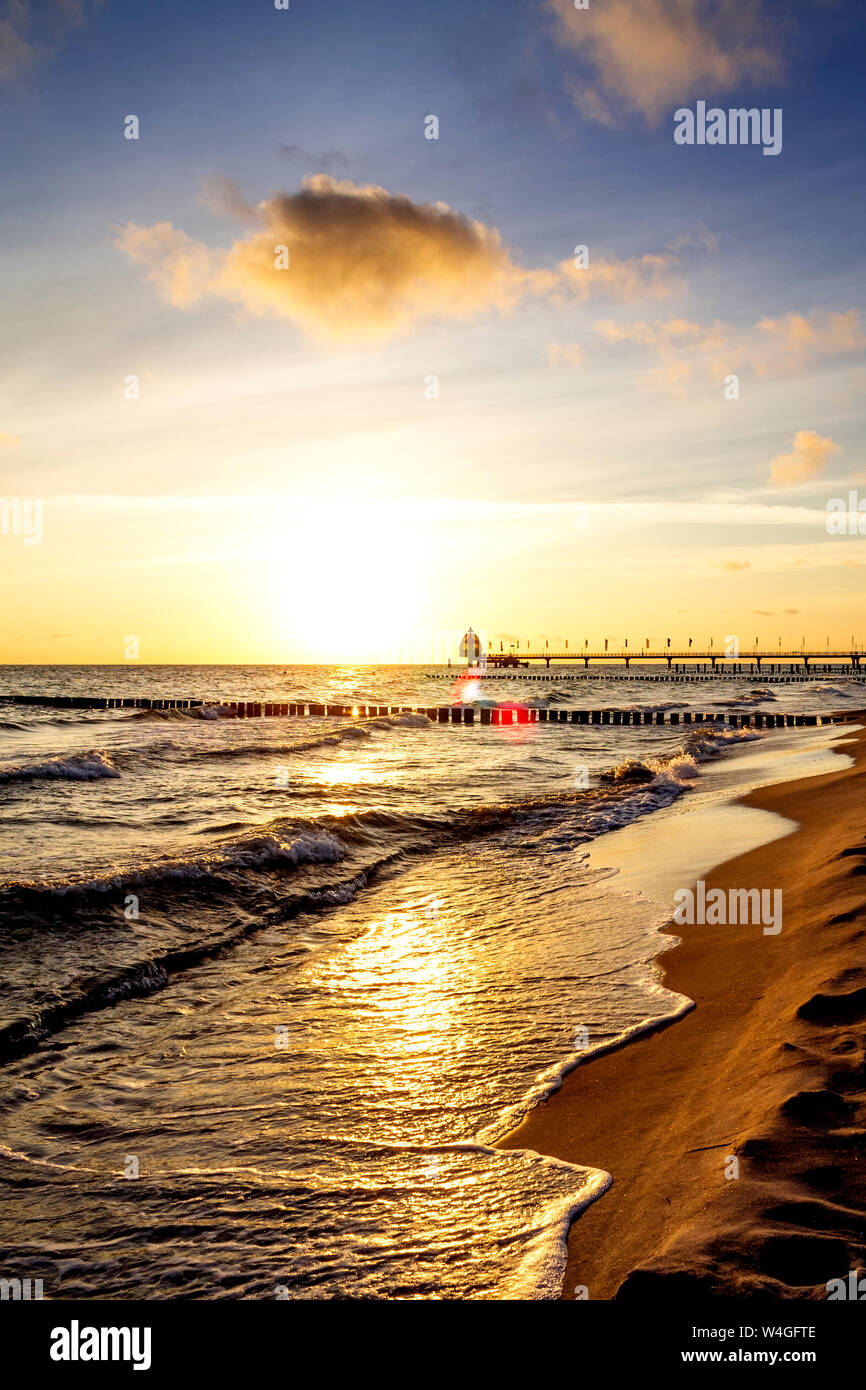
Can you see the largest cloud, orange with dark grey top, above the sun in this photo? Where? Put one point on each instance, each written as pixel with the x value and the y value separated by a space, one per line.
pixel 366 265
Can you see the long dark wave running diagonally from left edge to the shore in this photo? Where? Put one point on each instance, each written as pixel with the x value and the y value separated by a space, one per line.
pixel 206 901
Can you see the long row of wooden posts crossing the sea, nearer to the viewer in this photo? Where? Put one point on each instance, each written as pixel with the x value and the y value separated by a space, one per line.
pixel 443 715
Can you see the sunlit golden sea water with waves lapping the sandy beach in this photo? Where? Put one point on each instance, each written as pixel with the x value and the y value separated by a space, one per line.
pixel 272 989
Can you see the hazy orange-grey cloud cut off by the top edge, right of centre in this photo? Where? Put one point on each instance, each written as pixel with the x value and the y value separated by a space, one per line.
pixel 655 55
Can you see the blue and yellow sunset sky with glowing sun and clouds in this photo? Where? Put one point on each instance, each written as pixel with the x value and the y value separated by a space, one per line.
pixel 330 332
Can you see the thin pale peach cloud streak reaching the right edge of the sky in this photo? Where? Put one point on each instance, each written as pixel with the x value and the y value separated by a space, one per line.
pixel 771 347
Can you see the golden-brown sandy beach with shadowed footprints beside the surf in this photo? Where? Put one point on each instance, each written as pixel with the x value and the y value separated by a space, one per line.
pixel 768 1068
